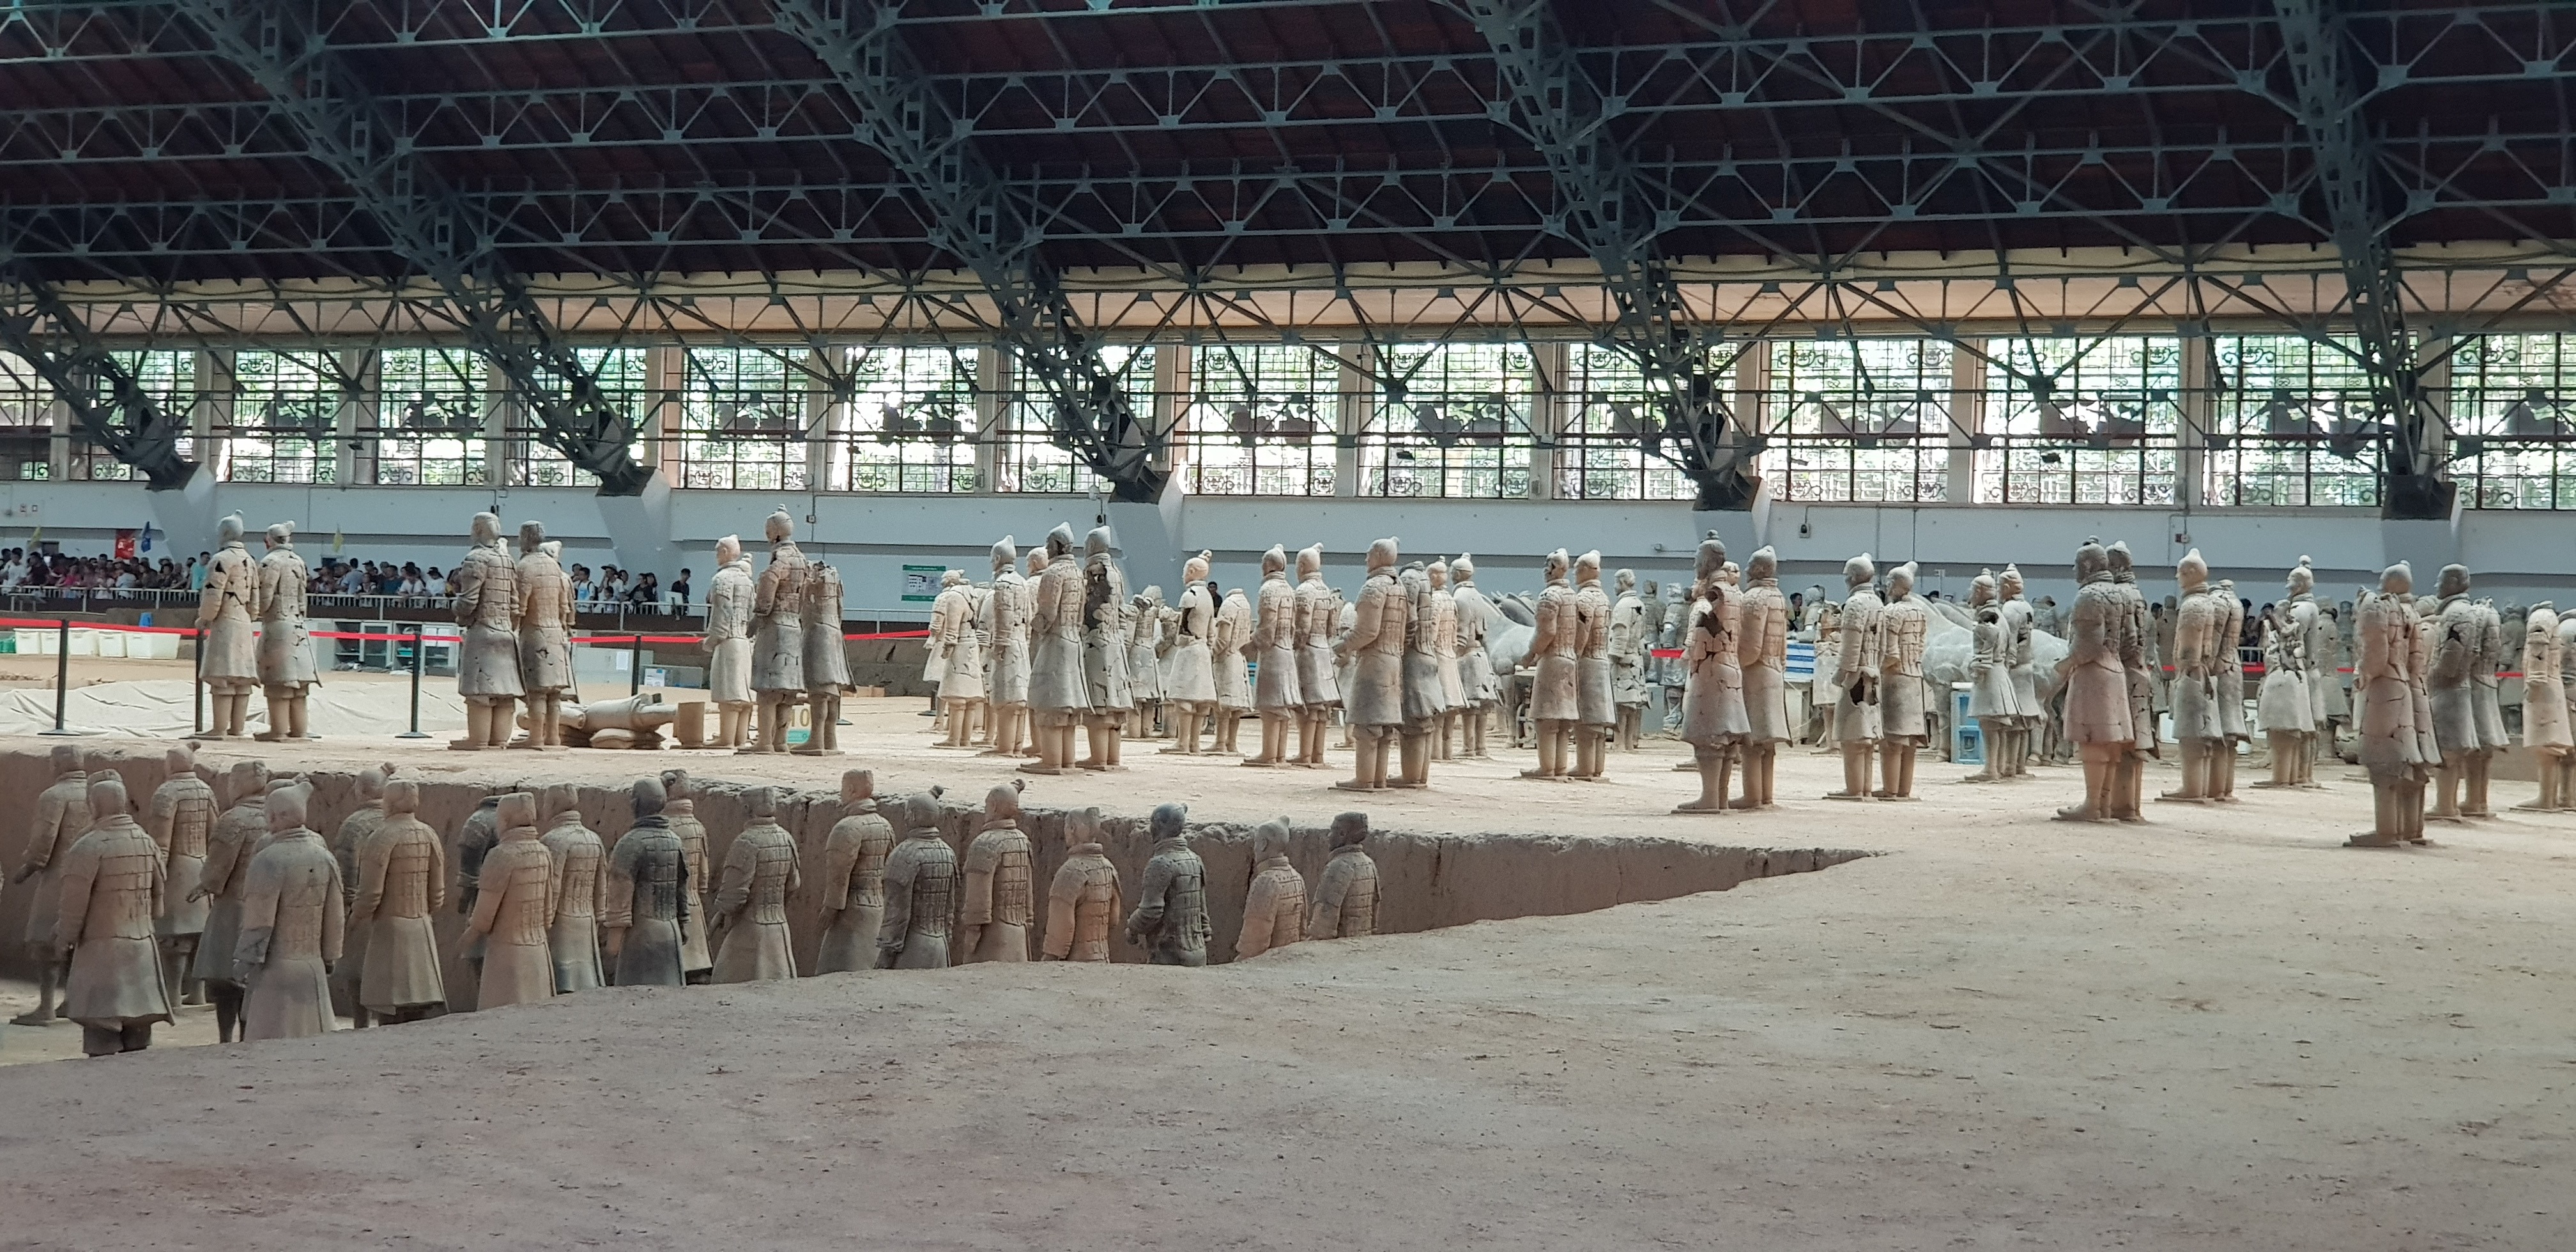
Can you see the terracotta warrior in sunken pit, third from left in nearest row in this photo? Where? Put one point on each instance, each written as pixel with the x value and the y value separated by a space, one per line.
pixel 401 887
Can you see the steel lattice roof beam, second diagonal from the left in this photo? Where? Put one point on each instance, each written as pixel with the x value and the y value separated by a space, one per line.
pixel 429 228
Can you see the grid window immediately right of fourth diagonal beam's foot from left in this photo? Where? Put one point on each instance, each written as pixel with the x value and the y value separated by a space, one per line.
pixel 1859 421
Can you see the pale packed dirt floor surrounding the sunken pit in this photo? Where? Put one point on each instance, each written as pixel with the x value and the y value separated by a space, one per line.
pixel 2214 1032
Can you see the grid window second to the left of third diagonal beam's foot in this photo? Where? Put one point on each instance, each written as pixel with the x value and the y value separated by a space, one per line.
pixel 911 421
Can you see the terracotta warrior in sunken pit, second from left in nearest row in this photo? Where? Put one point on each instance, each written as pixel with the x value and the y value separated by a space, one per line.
pixel 292 926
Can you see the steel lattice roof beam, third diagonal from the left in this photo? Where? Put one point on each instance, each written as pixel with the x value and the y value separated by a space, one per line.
pixel 975 218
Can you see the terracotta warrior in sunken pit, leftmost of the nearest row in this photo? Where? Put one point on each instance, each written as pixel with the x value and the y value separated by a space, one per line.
pixel 112 893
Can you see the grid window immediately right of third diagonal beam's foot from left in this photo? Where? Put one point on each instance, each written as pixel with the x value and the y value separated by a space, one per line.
pixel 1261 421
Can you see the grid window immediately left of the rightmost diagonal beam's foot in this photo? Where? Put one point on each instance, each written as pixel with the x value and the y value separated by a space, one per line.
pixel 2291 426
